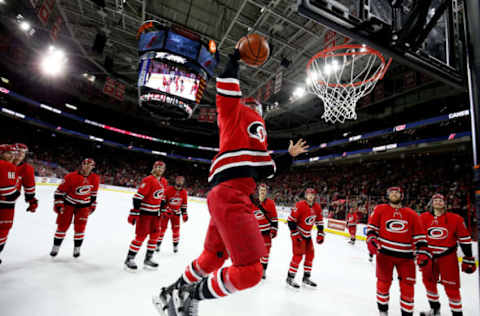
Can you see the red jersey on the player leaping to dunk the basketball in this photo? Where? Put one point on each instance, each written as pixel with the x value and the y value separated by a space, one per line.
pixel 243 138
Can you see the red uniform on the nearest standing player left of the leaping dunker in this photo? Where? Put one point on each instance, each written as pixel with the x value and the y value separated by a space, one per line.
pixel 176 205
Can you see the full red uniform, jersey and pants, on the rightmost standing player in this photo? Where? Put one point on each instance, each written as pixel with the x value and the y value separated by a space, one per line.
pixel 443 234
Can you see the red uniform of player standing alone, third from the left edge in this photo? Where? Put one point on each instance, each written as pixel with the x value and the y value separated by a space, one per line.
pixel 78 193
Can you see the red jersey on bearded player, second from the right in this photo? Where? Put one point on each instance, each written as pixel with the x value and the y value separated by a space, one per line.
pixel 399 230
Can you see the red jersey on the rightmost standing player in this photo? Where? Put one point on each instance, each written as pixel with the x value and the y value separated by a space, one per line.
pixel 443 232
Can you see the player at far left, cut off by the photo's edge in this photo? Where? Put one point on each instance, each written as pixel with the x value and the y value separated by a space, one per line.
pixel 8 191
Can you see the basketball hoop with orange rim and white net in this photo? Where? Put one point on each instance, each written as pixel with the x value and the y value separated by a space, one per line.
pixel 341 75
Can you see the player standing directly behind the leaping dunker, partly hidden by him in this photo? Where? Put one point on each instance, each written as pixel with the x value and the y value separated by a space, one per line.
pixel 266 214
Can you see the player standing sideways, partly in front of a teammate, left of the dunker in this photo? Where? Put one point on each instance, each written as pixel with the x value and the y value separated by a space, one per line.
pixel 145 215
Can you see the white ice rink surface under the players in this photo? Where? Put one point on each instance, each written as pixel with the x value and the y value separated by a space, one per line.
pixel 32 283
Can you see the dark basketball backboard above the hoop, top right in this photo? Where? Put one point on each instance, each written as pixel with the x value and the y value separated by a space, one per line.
pixel 422 34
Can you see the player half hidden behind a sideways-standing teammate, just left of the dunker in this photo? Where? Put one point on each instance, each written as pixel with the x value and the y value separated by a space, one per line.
pixel 176 205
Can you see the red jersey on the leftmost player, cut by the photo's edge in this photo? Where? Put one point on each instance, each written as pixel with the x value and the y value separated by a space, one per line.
pixel 8 184
